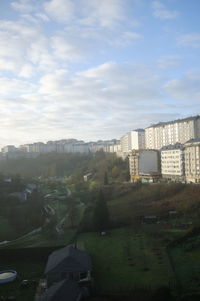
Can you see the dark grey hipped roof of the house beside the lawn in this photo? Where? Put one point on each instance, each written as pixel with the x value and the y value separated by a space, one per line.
pixel 74 259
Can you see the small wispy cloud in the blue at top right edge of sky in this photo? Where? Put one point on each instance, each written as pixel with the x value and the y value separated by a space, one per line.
pixel 161 12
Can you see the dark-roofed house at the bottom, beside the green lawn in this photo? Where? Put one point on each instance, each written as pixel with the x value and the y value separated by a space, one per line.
pixel 68 263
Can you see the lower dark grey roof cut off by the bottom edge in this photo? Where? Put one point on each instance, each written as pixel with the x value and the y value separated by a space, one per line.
pixel 62 291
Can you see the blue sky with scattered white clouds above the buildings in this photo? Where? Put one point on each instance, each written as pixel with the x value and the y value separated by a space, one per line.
pixel 96 69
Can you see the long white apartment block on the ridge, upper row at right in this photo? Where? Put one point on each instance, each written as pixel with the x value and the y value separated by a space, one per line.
pixel 166 133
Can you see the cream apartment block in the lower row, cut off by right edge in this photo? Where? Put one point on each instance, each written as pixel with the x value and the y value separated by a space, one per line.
pixel 192 161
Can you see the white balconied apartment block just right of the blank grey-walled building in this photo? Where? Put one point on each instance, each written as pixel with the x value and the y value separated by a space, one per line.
pixel 172 162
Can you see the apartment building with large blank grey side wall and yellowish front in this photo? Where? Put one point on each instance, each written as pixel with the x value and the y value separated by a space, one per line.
pixel 144 165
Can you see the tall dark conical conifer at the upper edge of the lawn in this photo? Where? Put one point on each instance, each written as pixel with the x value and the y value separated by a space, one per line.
pixel 101 218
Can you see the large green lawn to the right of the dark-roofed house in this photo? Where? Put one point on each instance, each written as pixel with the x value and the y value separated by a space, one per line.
pixel 126 259
